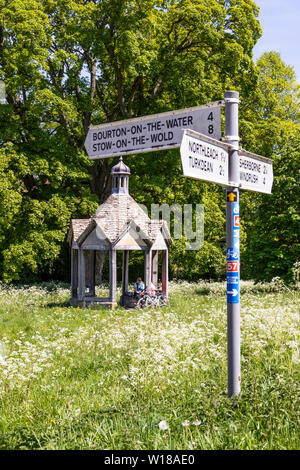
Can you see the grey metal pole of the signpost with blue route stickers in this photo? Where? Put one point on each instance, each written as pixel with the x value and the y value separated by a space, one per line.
pixel 233 245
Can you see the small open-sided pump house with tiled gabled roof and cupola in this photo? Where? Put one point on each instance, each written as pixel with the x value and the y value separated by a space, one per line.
pixel 119 224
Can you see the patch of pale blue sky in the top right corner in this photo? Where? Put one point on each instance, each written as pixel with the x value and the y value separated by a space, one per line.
pixel 280 21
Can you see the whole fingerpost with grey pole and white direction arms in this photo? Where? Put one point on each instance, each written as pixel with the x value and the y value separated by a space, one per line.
pixel 204 157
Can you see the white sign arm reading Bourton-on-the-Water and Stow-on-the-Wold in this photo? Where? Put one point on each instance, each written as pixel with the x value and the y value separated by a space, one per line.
pixel 150 133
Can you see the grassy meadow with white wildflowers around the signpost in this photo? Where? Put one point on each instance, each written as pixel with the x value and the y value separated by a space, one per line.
pixel 73 378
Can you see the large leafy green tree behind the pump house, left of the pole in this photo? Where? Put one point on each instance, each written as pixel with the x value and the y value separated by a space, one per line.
pixel 69 63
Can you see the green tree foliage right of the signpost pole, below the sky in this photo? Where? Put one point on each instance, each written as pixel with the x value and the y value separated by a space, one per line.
pixel 272 128
